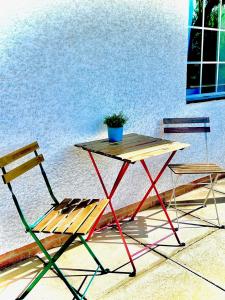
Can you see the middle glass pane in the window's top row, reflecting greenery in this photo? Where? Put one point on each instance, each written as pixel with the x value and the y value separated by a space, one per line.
pixel 212 12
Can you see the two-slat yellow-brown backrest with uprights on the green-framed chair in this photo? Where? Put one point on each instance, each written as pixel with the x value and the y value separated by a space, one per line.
pixel 9 176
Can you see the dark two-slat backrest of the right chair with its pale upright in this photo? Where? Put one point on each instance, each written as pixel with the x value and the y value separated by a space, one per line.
pixel 179 125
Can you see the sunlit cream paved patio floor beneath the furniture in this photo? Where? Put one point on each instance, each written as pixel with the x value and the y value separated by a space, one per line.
pixel 195 271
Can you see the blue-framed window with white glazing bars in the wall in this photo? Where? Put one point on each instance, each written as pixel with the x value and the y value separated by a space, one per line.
pixel 206 50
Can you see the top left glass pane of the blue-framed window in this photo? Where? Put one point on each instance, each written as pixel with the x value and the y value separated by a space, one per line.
pixel 195 13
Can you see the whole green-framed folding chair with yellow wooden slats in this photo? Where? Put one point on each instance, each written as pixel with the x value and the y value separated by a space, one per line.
pixel 74 217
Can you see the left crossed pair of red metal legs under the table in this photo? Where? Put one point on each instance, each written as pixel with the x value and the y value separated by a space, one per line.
pixel 109 196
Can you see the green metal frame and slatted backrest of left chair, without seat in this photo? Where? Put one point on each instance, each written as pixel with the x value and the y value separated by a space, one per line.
pixel 51 264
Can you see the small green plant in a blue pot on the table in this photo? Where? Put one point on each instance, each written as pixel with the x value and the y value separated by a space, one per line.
pixel 115 124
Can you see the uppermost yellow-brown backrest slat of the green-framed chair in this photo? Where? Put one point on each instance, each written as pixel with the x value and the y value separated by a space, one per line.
pixel 9 158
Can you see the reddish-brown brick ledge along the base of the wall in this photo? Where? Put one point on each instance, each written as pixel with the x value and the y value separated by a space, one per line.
pixel 53 241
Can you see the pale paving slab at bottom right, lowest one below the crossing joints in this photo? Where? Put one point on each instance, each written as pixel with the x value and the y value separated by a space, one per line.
pixel 166 282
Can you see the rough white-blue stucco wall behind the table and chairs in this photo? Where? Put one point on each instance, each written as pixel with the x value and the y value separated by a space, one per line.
pixel 64 65
